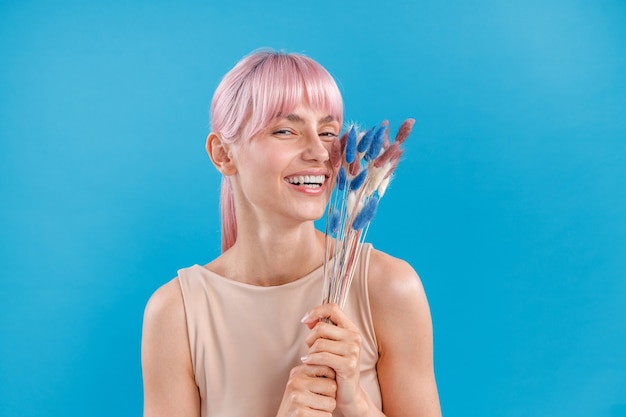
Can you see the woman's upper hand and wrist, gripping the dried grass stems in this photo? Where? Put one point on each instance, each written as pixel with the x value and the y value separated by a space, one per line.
pixel 336 345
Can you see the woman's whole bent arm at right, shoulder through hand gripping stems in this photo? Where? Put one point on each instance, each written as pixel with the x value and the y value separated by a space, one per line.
pixel 404 333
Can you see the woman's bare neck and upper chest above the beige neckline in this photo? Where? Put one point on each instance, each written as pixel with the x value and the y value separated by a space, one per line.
pixel 269 257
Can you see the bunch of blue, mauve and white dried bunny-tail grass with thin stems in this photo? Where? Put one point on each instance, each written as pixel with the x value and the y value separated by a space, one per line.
pixel 364 162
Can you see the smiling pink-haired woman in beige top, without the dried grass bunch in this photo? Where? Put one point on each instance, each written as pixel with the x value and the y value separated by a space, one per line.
pixel 243 335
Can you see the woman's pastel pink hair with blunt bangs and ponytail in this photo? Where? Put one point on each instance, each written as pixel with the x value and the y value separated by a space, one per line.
pixel 260 87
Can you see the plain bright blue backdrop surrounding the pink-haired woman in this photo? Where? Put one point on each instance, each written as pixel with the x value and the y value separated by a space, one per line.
pixel 510 200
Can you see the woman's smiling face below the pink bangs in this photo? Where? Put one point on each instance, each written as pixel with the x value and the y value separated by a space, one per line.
pixel 284 172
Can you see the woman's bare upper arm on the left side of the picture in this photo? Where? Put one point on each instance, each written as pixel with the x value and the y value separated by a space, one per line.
pixel 169 384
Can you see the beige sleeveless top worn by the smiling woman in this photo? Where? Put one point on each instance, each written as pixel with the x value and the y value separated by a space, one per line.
pixel 245 339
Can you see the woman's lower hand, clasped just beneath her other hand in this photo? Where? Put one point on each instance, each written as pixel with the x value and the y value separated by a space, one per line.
pixel 310 391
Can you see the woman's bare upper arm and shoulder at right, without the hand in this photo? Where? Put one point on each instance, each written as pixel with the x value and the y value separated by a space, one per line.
pixel 403 328
